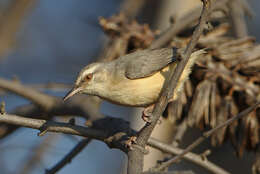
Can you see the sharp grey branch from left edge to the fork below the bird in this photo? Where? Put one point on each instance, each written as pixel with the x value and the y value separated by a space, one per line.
pixel 113 131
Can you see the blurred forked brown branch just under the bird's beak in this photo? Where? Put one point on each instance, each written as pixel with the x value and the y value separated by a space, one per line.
pixel 87 107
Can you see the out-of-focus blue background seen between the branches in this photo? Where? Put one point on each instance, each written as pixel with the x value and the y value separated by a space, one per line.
pixel 53 41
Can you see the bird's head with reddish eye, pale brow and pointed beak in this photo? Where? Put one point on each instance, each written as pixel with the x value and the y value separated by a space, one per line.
pixel 89 80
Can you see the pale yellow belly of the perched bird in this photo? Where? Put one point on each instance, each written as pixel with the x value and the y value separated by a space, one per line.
pixel 139 92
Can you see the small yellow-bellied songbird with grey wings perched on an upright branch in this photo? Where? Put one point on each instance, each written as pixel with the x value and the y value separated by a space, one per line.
pixel 135 79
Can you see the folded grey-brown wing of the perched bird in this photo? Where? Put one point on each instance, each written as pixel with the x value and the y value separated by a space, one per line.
pixel 146 62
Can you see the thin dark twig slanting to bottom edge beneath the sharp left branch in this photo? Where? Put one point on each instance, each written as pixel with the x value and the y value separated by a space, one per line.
pixel 67 159
